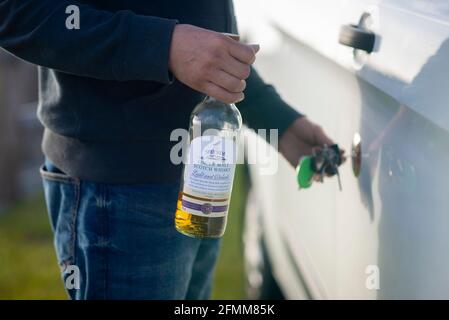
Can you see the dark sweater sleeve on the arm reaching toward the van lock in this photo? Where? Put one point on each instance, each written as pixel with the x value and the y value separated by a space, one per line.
pixel 263 108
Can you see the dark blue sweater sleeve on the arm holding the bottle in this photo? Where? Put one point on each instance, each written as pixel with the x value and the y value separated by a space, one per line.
pixel 110 46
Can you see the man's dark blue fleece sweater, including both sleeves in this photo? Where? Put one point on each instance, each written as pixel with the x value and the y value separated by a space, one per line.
pixel 107 99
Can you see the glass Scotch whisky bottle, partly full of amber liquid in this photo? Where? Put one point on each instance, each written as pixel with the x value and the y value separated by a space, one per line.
pixel 209 167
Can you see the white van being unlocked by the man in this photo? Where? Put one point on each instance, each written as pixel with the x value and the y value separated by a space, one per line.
pixel 383 95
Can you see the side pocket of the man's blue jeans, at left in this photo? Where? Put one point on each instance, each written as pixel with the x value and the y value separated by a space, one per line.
pixel 62 196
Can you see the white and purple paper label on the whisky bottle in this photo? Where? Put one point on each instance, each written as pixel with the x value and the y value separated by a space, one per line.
pixel 208 176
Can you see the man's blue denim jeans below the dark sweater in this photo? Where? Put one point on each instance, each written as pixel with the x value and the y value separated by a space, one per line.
pixel 123 241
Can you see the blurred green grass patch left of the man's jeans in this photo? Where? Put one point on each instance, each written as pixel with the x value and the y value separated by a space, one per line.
pixel 28 268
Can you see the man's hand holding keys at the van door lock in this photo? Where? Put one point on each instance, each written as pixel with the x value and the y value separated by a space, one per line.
pixel 301 138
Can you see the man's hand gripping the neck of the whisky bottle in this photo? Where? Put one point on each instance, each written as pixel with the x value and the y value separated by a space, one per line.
pixel 211 62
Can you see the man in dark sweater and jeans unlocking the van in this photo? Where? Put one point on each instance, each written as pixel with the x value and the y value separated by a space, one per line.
pixel 111 91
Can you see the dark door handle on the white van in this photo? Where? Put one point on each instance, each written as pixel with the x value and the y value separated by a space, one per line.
pixel 357 37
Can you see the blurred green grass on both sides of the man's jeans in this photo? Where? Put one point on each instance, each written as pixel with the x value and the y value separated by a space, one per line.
pixel 28 268
